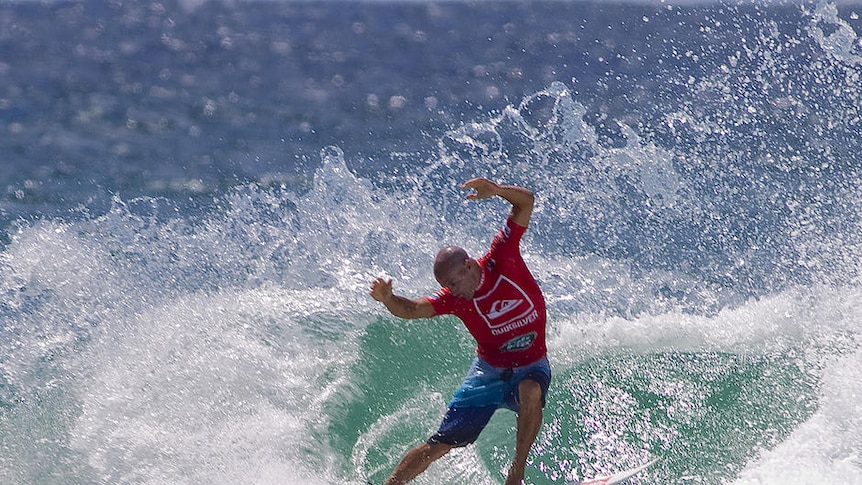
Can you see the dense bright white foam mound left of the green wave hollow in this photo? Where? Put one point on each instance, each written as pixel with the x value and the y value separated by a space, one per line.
pixel 224 388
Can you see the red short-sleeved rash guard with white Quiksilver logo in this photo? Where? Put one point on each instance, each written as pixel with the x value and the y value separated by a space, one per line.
pixel 507 313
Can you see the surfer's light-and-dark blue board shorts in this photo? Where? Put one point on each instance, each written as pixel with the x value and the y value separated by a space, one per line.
pixel 485 390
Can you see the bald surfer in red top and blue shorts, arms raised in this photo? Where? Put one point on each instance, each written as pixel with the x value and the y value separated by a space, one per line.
pixel 502 306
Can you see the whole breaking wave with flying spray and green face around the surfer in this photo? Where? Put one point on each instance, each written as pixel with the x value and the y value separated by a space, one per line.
pixel 698 271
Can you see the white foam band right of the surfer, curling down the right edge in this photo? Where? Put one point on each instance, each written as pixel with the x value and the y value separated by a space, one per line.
pixel 825 322
